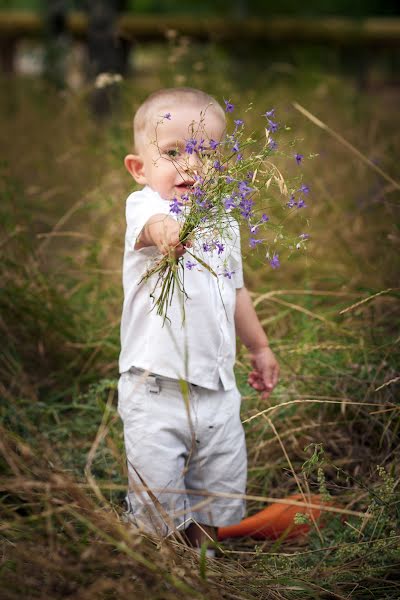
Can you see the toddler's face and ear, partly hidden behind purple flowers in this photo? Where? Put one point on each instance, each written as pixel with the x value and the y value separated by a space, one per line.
pixel 163 162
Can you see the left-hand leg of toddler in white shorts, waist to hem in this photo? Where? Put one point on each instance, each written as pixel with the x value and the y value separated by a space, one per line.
pixel 155 427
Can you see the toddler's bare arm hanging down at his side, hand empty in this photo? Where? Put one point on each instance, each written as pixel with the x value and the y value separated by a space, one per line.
pixel 265 373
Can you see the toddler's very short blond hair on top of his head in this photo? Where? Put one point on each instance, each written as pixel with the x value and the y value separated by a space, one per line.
pixel 161 99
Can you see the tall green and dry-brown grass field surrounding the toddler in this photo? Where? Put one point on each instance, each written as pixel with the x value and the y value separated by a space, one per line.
pixel 331 313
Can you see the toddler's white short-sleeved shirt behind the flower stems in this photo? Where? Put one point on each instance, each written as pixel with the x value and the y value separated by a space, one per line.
pixel 202 349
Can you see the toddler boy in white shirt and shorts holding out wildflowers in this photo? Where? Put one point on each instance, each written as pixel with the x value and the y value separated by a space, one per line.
pixel 177 394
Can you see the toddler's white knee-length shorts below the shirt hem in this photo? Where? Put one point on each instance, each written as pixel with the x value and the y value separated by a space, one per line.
pixel 176 444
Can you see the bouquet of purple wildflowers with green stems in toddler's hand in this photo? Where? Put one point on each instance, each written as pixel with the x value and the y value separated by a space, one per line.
pixel 238 179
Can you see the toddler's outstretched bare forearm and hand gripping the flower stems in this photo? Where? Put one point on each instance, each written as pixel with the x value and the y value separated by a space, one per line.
pixel 161 231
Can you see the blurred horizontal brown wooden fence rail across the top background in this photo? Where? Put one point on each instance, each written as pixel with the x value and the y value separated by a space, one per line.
pixel 340 31
